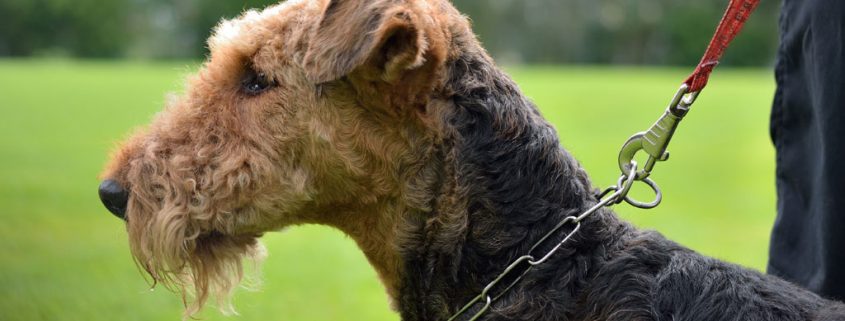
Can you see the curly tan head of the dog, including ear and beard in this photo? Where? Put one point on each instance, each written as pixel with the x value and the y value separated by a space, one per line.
pixel 305 112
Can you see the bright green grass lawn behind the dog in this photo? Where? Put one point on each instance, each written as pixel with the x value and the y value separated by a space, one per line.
pixel 63 257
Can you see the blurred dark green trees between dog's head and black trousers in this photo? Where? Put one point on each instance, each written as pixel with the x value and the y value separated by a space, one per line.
pixel 616 31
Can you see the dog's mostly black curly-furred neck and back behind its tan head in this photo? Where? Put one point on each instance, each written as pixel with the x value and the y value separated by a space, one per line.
pixel 507 181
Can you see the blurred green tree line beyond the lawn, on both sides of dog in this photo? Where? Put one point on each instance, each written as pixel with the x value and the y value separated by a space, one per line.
pixel 514 31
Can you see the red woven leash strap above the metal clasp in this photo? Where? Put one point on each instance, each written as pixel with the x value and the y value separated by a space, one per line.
pixel 735 16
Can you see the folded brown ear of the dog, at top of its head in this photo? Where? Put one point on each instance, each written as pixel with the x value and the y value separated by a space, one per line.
pixel 383 39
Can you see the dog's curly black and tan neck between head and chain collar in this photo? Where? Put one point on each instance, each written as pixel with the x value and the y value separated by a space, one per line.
pixel 506 182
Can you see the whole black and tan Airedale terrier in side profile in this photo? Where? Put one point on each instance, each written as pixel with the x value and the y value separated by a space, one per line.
pixel 387 120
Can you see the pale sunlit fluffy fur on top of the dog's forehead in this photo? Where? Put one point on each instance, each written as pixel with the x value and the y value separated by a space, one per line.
pixel 247 32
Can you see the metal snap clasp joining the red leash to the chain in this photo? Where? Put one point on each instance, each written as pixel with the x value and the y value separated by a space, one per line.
pixel 656 139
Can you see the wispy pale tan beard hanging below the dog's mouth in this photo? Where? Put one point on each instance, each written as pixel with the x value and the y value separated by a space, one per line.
pixel 180 256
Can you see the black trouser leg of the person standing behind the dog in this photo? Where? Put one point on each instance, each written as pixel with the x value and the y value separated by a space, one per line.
pixel 808 131
